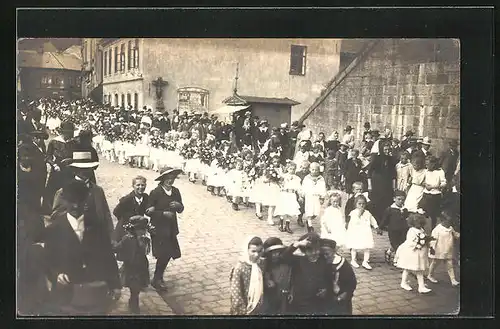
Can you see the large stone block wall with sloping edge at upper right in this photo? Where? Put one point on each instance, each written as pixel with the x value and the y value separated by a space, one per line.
pixel 411 84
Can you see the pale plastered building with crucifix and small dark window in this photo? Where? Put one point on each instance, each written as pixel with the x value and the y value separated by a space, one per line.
pixel 199 74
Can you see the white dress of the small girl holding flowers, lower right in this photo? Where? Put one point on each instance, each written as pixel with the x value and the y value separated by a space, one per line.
pixel 408 256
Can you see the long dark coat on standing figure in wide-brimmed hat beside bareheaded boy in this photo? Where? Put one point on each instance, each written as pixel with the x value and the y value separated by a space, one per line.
pixel 164 239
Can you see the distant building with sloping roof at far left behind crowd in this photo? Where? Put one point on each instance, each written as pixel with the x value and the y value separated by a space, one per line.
pixel 47 72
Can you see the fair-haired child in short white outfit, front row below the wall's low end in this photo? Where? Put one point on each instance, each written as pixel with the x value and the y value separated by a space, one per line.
pixel 313 194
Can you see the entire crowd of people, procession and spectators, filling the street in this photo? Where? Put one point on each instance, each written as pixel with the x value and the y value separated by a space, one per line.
pixel 345 186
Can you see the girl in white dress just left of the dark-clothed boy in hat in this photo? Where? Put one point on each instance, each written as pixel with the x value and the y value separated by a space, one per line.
pixel 359 234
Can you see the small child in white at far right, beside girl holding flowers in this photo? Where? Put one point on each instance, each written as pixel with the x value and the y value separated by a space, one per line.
pixel 442 249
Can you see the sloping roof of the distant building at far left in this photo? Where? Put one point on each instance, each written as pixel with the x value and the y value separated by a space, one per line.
pixel 49 60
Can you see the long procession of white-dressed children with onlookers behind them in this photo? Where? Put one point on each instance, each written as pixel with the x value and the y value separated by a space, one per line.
pixel 347 191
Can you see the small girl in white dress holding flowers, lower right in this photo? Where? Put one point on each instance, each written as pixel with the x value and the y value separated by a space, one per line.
pixel 412 254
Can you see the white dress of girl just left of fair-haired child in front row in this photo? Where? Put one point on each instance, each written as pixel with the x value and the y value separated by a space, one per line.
pixel 287 203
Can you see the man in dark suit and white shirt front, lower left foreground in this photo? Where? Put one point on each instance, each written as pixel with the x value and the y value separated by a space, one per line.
pixel 81 264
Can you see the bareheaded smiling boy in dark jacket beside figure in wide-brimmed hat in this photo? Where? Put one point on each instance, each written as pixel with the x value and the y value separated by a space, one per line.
pixel 130 205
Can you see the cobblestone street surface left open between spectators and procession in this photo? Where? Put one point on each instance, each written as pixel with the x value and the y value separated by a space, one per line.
pixel 211 234
